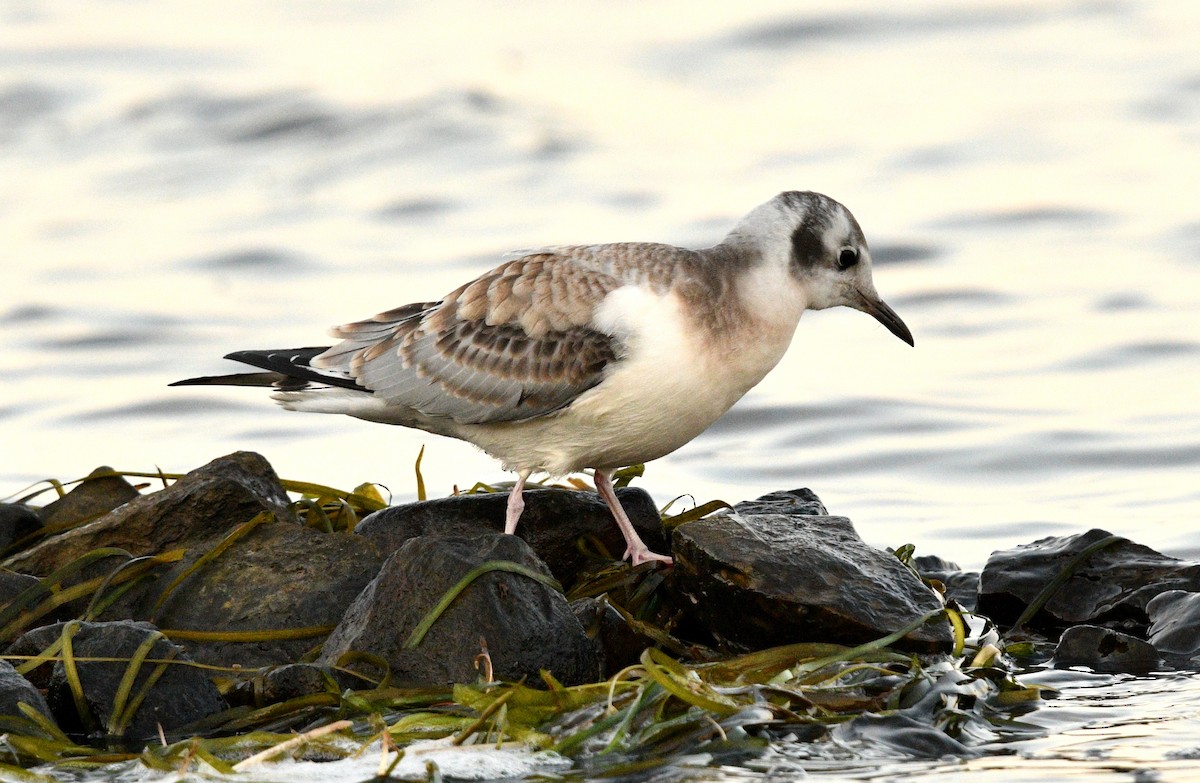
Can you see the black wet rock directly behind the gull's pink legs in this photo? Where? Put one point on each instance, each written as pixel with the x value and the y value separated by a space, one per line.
pixel 553 522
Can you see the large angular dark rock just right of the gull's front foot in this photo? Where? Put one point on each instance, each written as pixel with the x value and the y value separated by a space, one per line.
pixel 760 579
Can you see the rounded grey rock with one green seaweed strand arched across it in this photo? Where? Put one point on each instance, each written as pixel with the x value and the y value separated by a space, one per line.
pixel 525 625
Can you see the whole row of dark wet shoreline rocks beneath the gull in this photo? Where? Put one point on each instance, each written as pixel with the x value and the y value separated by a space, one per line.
pixel 221 559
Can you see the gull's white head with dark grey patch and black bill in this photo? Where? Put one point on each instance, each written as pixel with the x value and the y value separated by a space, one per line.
pixel 825 252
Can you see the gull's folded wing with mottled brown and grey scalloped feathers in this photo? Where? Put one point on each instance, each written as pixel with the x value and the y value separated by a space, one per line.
pixel 515 344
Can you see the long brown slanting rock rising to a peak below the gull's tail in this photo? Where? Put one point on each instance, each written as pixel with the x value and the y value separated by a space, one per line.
pixel 205 504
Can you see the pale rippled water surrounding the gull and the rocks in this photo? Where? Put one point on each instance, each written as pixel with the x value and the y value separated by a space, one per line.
pixel 183 182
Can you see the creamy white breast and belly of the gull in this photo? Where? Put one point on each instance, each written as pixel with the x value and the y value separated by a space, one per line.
pixel 676 379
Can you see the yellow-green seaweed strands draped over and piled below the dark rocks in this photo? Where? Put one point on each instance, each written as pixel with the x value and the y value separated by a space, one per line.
pixel 681 698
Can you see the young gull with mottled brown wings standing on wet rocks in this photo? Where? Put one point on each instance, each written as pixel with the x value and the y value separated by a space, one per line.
pixel 590 356
